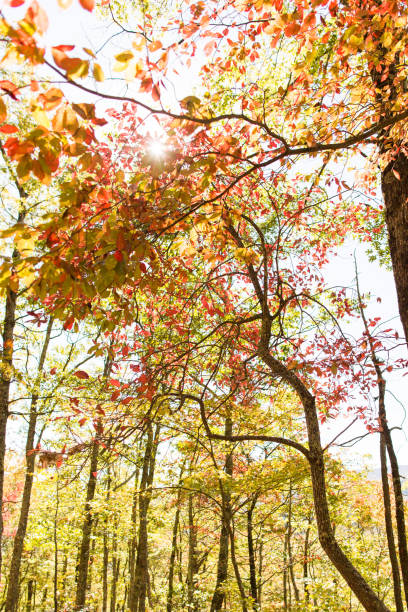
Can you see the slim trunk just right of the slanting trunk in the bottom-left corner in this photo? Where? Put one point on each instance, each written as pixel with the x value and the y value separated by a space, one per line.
pixel 83 563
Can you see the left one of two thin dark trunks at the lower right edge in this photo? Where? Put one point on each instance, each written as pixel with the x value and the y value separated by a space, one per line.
pixel 389 529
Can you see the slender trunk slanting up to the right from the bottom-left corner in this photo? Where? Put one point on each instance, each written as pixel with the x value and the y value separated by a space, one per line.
pixel 18 544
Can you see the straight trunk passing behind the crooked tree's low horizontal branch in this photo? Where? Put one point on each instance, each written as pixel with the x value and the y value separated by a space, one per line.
pixel 222 567
